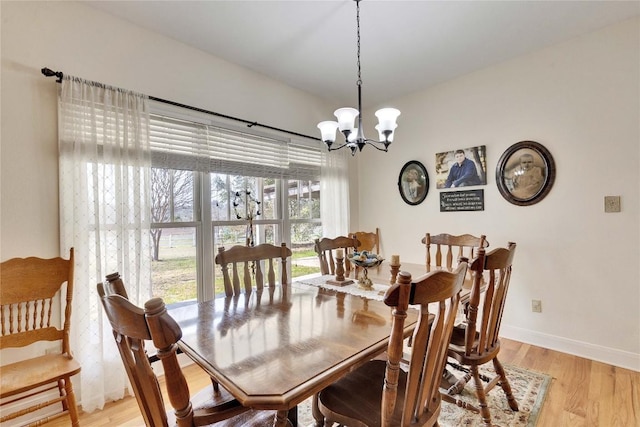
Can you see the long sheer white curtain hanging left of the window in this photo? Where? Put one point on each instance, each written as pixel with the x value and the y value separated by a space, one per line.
pixel 105 164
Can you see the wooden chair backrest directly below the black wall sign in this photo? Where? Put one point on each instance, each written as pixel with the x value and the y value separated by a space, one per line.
pixel 446 245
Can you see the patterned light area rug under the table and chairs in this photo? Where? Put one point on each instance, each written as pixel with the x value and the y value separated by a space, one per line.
pixel 529 389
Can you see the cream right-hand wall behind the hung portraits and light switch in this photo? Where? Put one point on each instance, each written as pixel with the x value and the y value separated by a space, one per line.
pixel 580 99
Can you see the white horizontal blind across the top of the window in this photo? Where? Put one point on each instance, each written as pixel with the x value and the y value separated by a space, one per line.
pixel 182 142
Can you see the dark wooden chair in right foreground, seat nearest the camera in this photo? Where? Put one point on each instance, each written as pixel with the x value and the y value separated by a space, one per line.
pixel 380 393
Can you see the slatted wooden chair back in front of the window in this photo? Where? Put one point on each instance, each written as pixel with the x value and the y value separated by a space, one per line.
pixel 250 263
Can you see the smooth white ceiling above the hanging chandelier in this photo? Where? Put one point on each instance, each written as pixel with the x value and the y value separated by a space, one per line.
pixel 405 45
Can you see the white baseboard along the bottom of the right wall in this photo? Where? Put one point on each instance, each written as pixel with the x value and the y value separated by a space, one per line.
pixel 621 358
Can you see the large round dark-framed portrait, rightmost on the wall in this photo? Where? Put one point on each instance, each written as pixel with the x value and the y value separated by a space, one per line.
pixel 525 173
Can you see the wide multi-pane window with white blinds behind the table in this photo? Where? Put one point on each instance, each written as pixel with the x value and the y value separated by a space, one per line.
pixel 214 186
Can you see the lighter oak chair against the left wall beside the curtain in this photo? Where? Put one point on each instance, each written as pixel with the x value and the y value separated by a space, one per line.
pixel 31 289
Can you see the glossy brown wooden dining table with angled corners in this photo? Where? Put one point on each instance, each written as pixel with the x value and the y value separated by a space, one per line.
pixel 274 349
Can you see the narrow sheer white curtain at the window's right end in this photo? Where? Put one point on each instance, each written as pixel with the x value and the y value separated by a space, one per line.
pixel 334 193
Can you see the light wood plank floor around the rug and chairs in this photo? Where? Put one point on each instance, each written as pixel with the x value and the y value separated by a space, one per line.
pixel 582 392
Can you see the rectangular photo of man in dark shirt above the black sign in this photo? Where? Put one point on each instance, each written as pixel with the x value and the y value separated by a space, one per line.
pixel 463 167
